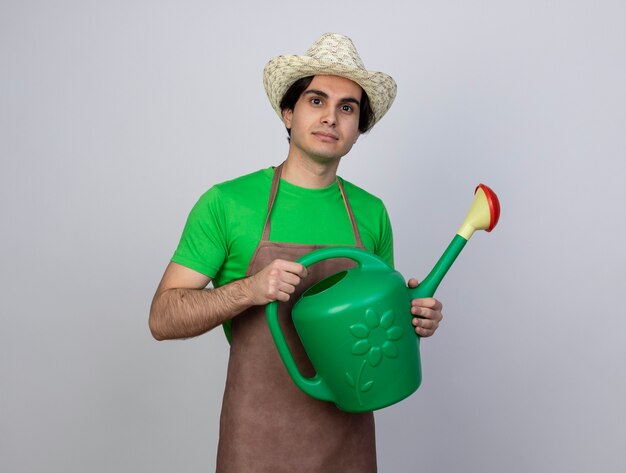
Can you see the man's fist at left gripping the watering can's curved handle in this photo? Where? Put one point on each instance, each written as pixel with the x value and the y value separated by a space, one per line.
pixel 276 282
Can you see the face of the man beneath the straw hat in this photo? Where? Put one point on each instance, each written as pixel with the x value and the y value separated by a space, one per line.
pixel 325 120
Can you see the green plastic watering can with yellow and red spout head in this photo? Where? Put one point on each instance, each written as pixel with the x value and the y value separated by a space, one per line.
pixel 356 325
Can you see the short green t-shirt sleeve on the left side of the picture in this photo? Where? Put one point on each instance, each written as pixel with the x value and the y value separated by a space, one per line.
pixel 203 244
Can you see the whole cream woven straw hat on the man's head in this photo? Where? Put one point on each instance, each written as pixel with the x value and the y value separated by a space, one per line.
pixel 331 54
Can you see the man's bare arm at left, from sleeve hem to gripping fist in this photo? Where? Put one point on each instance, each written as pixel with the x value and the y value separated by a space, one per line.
pixel 182 307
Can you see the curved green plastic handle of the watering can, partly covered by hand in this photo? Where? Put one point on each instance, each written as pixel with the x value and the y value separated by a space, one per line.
pixel 315 386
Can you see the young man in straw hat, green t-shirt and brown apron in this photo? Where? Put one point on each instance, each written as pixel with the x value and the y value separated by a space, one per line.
pixel 244 235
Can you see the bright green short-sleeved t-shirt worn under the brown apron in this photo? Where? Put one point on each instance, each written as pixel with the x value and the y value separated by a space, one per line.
pixel 226 224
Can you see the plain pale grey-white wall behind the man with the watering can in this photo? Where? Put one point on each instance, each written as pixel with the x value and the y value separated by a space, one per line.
pixel 115 116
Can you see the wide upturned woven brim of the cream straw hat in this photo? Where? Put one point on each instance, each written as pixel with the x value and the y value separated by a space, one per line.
pixel 281 72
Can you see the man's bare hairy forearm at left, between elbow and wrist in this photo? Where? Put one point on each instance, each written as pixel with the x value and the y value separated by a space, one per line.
pixel 184 313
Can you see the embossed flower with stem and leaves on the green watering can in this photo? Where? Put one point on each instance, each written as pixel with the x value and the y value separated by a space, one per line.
pixel 375 339
